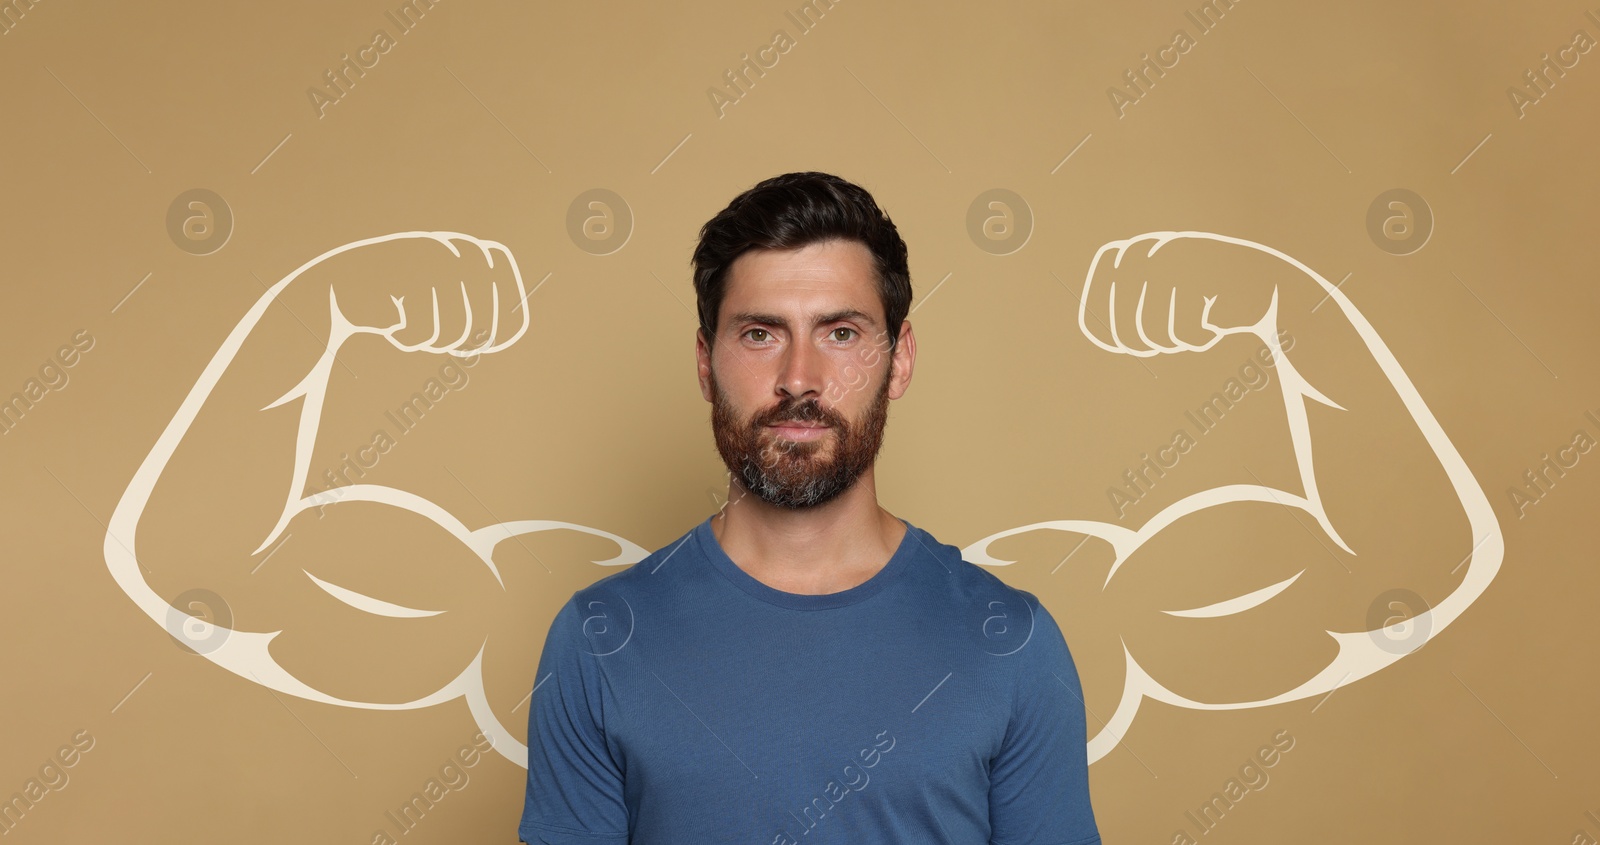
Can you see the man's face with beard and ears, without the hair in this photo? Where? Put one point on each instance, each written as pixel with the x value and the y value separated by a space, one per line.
pixel 801 377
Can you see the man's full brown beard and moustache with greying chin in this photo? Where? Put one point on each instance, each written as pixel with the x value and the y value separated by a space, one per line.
pixel 799 475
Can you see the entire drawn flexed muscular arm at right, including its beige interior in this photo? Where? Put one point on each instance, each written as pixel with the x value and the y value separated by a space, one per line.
pixel 1260 587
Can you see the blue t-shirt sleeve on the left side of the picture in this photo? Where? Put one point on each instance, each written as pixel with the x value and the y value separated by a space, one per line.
pixel 575 785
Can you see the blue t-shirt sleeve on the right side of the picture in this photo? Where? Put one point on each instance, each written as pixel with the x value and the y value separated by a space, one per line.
pixel 1039 785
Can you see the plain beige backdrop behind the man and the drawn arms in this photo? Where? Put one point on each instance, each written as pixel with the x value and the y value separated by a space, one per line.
pixel 1281 126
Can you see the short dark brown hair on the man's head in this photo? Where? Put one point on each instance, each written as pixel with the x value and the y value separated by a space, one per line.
pixel 791 212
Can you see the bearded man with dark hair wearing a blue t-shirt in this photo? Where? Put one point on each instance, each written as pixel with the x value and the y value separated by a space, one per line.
pixel 806 667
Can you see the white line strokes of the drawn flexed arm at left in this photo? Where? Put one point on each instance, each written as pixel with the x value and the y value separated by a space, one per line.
pixel 249 654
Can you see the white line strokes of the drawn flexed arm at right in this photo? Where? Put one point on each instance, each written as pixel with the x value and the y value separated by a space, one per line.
pixel 1359 652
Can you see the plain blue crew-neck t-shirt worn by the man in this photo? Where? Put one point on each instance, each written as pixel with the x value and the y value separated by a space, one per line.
pixel 682 702
